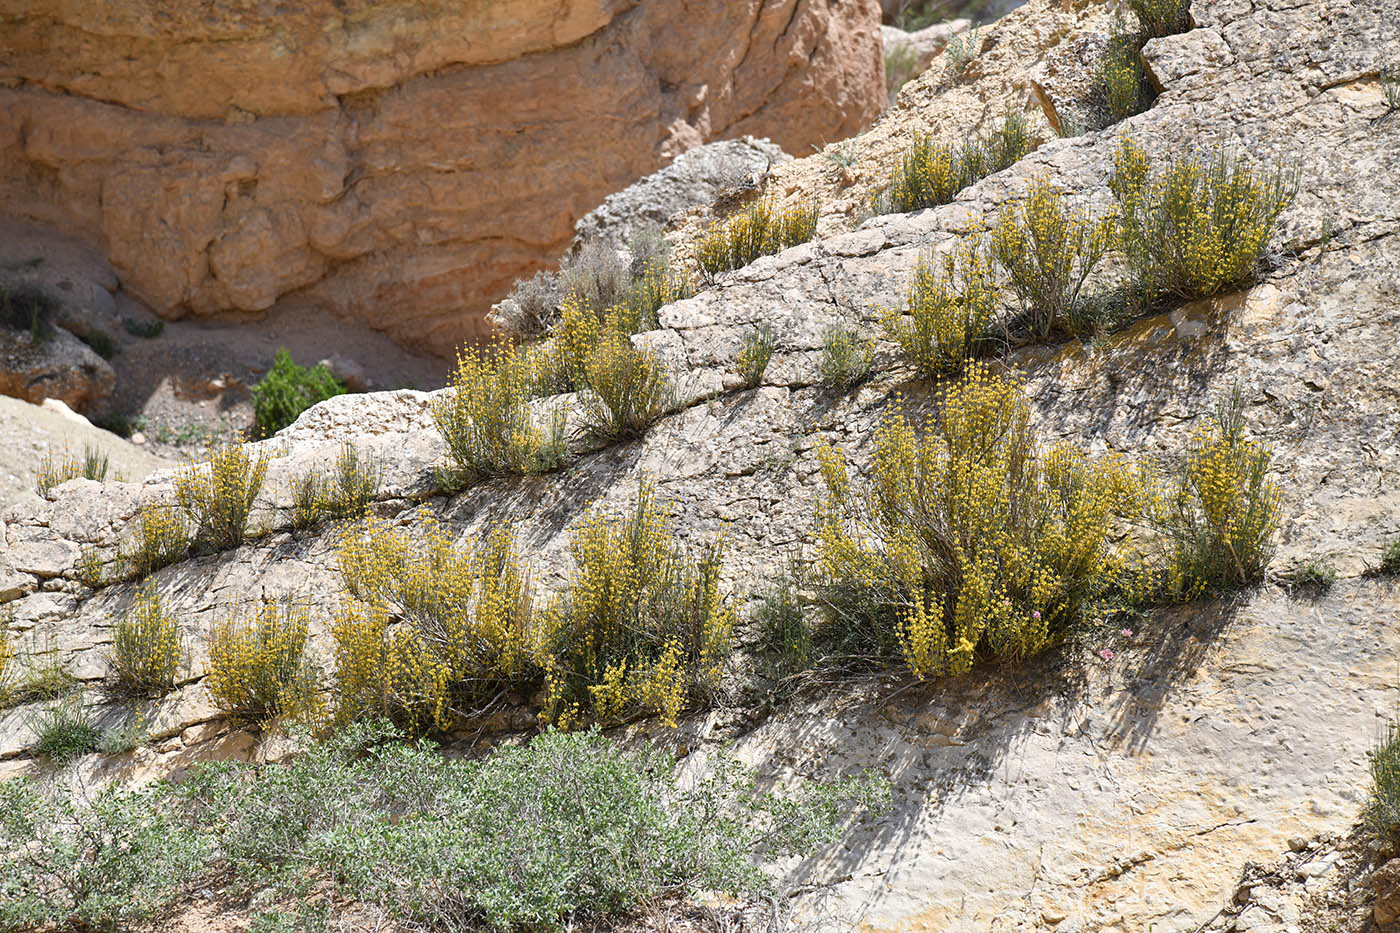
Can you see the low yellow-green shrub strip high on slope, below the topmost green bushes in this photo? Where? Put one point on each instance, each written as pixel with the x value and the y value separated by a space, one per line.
pixel 932 174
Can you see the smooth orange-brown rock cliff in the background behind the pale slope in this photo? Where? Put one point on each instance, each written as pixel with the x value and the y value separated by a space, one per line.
pixel 401 163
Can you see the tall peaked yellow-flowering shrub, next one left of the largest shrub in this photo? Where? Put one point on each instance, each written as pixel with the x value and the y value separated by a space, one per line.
pixel 642 630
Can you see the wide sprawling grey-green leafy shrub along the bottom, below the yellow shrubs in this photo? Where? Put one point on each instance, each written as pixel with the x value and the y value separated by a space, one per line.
pixel 565 830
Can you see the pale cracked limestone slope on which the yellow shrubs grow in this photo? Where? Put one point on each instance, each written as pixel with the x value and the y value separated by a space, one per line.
pixel 1122 794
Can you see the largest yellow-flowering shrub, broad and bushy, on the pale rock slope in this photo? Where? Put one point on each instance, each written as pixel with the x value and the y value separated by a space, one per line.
pixel 971 539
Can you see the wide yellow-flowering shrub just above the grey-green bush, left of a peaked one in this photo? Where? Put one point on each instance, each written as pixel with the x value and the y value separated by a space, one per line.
pixel 430 630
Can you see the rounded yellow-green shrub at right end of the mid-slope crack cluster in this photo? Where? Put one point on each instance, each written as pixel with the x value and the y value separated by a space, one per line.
pixel 626 387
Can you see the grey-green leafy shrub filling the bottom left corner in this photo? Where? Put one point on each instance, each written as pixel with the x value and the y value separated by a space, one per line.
pixel 94 865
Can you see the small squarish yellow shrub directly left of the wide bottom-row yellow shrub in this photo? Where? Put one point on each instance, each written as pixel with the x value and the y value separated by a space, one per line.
pixel 258 668
